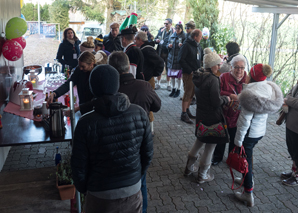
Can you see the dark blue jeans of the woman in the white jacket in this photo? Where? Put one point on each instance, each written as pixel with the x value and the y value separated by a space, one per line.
pixel 249 144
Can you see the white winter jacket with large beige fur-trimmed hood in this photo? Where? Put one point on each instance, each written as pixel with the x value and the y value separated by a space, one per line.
pixel 256 100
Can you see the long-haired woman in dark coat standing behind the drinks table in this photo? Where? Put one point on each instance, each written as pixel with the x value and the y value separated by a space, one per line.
pixel 69 50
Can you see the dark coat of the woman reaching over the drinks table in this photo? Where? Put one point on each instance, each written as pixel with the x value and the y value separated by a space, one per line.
pixel 81 80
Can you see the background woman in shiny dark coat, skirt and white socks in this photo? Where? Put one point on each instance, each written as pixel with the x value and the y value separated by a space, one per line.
pixel 174 68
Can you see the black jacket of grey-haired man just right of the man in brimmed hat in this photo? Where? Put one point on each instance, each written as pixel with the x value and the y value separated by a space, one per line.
pixel 153 63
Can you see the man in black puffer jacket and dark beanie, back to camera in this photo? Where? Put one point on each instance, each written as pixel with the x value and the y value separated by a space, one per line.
pixel 112 147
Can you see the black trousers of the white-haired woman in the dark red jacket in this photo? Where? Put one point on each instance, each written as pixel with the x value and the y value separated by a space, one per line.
pixel 220 148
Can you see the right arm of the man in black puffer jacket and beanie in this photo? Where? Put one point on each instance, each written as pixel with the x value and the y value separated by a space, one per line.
pixel 146 149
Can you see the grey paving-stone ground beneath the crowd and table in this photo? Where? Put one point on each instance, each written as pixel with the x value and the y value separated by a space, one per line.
pixel 169 190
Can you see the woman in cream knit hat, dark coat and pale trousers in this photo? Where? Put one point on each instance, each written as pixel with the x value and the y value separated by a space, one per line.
pixel 209 112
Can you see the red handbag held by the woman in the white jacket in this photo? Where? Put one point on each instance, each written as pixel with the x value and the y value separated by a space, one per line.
pixel 238 162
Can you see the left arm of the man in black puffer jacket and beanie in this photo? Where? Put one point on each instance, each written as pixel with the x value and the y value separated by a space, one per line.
pixel 79 158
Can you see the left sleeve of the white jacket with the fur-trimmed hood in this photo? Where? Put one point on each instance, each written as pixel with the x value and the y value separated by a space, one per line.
pixel 243 124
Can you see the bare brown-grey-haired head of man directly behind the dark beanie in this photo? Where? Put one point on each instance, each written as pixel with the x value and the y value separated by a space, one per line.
pixel 119 60
